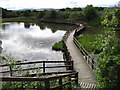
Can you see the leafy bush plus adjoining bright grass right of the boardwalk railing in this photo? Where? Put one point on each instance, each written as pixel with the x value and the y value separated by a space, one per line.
pixel 107 48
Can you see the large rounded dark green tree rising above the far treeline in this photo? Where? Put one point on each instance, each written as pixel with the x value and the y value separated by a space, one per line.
pixel 90 12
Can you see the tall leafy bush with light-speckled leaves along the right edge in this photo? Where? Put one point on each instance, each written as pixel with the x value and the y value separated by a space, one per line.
pixel 109 58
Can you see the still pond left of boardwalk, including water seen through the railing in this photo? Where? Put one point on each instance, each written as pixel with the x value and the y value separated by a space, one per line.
pixel 32 41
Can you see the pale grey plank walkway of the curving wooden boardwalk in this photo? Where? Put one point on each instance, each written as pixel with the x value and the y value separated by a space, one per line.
pixel 86 75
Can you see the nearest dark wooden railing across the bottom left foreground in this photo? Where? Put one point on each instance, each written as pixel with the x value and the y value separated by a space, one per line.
pixel 73 77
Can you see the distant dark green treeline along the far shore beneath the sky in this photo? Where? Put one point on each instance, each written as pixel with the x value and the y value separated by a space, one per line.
pixel 89 12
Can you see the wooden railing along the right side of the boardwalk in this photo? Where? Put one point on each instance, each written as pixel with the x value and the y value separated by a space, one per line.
pixel 89 59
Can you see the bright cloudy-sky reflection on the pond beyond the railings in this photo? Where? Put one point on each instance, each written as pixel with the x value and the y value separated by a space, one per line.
pixel 30 43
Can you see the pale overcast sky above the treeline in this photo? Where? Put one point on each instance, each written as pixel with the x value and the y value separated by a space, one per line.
pixel 21 4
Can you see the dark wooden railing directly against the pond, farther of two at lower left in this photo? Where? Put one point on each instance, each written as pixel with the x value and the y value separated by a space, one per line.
pixel 68 64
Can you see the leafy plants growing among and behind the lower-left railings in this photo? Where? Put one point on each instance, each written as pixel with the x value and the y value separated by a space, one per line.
pixel 29 85
